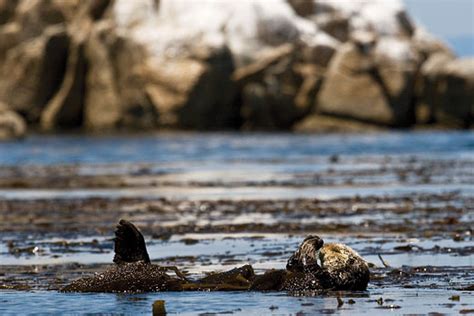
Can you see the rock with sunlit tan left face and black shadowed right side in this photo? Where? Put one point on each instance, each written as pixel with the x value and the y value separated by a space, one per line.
pixel 195 91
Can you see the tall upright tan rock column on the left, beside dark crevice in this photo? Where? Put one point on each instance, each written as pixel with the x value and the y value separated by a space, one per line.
pixel 115 82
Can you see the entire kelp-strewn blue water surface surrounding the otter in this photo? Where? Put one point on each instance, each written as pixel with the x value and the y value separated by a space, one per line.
pixel 211 202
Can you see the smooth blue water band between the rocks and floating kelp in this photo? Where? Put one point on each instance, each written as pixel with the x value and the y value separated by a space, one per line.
pixel 207 148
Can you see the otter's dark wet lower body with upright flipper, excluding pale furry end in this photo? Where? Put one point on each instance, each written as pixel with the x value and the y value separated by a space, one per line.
pixel 134 271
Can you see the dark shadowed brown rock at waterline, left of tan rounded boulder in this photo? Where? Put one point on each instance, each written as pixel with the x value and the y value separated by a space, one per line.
pixel 279 89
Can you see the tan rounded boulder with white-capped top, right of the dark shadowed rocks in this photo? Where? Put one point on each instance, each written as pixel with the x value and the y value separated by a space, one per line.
pixel 365 81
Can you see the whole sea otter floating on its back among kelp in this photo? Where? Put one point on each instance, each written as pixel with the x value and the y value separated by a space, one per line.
pixel 340 268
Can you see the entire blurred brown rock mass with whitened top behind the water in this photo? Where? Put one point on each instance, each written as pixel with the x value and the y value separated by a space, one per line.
pixel 305 65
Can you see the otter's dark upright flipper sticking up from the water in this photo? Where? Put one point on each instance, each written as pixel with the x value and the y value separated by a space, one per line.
pixel 129 244
